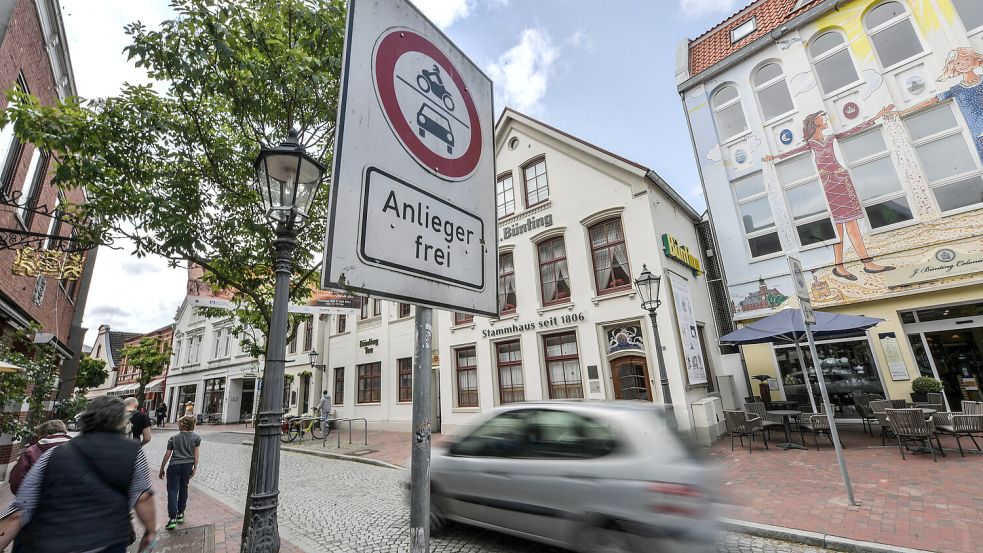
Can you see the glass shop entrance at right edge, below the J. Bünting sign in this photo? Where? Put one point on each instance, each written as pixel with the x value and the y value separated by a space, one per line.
pixel 948 341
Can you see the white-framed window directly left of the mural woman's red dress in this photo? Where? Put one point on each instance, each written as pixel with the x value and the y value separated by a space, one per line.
pixel 806 199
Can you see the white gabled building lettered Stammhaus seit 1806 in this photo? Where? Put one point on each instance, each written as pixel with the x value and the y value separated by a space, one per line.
pixel 576 224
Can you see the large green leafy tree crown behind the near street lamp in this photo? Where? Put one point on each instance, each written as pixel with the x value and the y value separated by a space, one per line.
pixel 169 168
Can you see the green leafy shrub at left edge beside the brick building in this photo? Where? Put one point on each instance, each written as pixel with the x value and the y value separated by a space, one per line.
pixel 33 385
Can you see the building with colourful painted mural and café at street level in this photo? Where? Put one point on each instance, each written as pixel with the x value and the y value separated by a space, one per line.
pixel 849 134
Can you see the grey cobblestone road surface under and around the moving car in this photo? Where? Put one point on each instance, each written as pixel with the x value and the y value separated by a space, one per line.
pixel 341 506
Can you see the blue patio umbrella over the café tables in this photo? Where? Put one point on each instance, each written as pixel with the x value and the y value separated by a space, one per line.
pixel 787 327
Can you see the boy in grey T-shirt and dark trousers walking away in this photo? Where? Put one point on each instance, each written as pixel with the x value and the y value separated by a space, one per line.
pixel 182 453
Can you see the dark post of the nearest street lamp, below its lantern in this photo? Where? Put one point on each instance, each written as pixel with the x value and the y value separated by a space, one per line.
pixel 260 532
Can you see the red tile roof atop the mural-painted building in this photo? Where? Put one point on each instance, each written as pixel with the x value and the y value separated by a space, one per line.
pixel 715 45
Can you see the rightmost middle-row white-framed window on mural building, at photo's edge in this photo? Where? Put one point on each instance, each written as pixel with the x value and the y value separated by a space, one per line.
pixel 947 157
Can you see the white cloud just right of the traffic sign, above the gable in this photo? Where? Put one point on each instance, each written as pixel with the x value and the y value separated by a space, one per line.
pixel 522 73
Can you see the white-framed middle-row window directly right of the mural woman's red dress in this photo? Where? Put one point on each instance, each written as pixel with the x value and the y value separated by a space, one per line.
pixel 876 179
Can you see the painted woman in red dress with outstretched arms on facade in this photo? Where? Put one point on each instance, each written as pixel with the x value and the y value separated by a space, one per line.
pixel 841 195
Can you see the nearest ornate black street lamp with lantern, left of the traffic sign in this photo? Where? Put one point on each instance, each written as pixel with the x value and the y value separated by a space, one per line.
pixel 287 179
